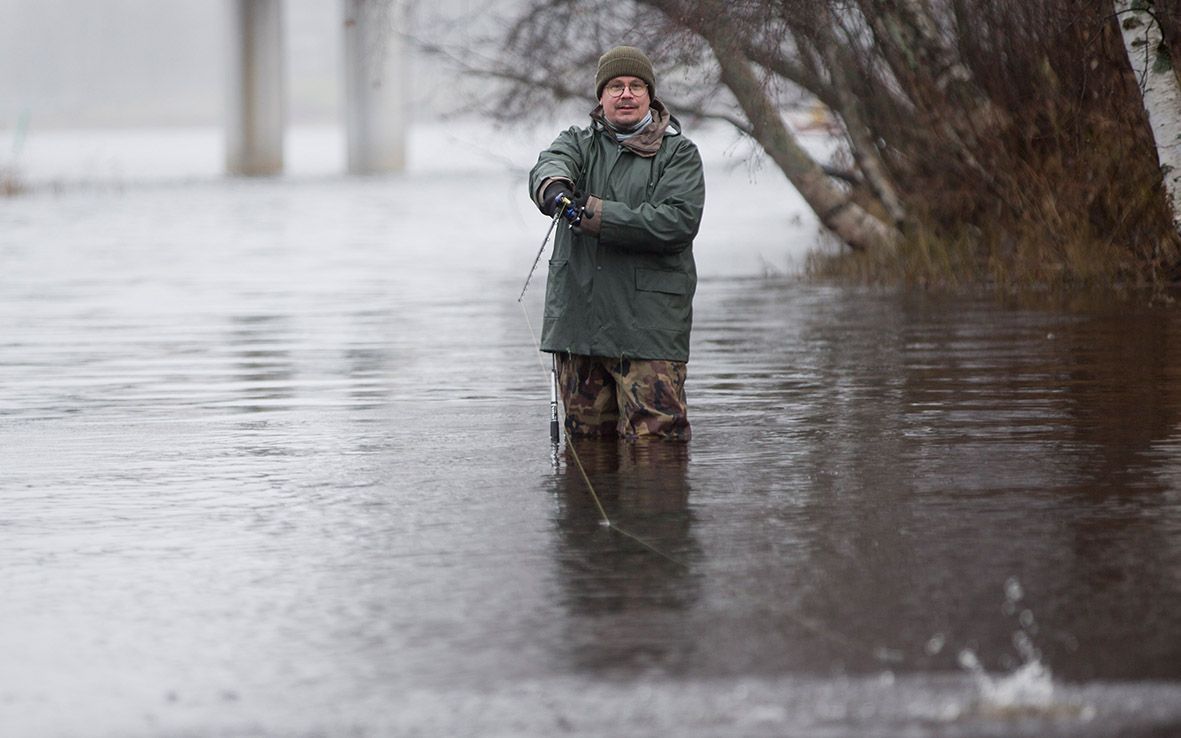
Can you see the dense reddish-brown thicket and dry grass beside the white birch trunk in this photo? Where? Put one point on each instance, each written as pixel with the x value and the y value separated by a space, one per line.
pixel 1061 190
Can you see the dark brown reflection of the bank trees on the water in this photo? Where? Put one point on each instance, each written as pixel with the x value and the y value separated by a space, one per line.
pixel 936 448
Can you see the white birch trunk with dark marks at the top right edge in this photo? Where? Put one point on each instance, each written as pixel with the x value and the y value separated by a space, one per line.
pixel 1159 92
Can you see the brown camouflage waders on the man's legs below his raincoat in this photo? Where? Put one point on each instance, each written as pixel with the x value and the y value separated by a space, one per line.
pixel 630 399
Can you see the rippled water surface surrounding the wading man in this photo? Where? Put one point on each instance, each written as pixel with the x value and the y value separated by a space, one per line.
pixel 275 461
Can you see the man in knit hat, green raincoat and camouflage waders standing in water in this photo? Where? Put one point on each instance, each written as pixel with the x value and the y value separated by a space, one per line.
pixel 619 299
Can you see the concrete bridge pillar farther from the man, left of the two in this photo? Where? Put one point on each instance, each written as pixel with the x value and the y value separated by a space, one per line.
pixel 256 109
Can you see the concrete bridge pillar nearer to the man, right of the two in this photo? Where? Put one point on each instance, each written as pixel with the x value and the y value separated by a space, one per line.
pixel 376 86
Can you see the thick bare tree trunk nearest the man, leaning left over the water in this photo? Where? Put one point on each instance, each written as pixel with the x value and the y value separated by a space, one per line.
pixel 837 211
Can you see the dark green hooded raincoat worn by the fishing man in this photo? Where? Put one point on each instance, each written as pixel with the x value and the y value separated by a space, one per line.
pixel 622 284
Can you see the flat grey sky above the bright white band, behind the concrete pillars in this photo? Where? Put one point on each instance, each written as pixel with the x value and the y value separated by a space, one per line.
pixel 129 63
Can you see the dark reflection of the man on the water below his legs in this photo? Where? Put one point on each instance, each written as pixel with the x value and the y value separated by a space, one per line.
pixel 638 566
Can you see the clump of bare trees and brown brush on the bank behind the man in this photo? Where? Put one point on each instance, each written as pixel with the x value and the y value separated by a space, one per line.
pixel 1010 130
